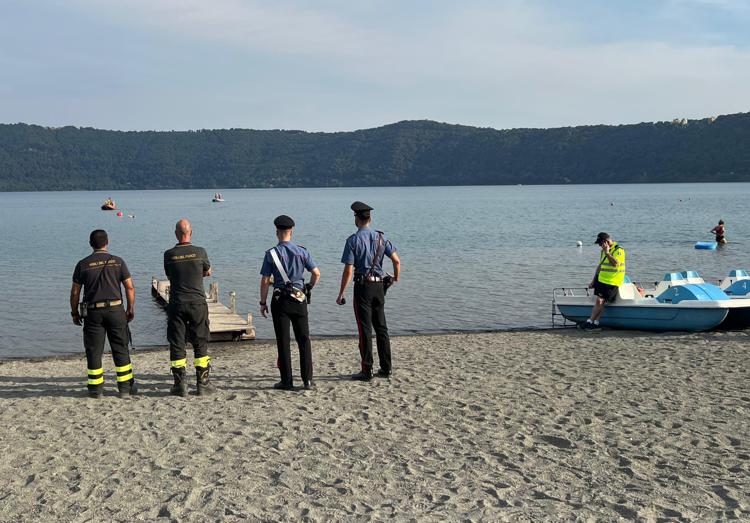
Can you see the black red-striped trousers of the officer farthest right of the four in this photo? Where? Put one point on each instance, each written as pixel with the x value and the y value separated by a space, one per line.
pixel 369 310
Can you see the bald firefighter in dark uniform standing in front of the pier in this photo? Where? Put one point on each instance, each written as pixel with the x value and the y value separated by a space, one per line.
pixel 186 265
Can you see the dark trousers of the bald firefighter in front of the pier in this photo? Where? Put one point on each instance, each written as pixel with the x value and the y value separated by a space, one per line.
pixel 187 322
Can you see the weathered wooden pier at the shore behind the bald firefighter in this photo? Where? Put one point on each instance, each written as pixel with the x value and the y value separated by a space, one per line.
pixel 224 322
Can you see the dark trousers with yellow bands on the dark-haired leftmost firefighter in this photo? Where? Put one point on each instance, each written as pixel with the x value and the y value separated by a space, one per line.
pixel 99 324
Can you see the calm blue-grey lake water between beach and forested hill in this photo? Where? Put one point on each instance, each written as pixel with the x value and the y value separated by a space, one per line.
pixel 473 258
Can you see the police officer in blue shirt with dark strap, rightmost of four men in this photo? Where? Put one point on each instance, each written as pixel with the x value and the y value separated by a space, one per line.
pixel 363 259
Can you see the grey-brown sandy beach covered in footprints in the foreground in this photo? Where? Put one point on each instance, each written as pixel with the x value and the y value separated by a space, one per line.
pixel 515 426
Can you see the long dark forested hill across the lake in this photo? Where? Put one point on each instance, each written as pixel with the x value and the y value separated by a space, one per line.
pixel 404 153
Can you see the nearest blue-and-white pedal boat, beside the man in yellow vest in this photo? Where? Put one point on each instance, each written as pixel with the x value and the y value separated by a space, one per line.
pixel 673 305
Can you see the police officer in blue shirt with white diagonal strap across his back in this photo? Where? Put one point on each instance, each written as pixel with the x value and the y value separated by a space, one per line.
pixel 287 263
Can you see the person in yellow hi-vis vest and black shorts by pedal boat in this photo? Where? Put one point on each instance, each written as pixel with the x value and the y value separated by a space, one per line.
pixel 609 275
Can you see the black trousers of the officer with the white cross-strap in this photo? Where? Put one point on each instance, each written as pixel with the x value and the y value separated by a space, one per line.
pixel 287 311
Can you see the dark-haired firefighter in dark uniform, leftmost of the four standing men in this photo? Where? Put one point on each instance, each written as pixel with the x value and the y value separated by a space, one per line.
pixel 100 275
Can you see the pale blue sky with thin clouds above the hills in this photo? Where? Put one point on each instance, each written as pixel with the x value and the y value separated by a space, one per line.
pixel 334 65
